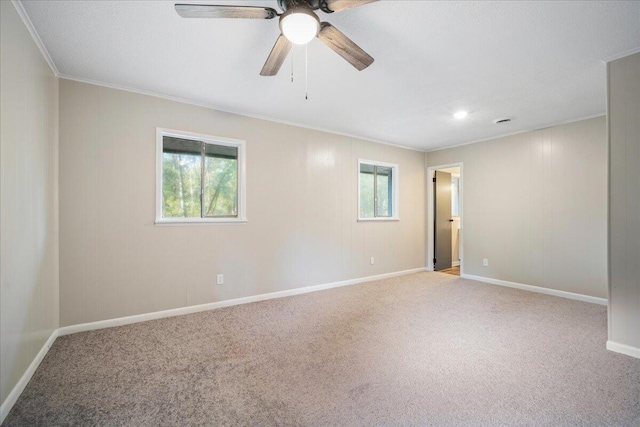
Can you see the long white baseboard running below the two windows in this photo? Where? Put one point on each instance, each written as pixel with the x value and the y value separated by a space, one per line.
pixel 83 327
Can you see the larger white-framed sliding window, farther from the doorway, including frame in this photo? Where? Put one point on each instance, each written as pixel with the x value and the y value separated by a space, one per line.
pixel 199 179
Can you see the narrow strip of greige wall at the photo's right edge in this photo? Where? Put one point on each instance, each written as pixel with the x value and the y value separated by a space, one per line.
pixel 624 202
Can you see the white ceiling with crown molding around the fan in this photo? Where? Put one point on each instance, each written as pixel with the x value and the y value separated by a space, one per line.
pixel 539 63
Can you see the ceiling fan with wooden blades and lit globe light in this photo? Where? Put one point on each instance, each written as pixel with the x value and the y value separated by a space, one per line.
pixel 299 24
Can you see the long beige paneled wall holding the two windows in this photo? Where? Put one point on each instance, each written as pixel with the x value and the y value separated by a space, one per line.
pixel 301 207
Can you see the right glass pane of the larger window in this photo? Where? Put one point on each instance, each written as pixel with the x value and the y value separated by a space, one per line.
pixel 221 181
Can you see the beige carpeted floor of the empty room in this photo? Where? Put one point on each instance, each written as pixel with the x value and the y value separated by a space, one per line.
pixel 424 349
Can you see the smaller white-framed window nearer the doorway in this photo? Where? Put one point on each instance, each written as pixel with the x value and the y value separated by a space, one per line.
pixel 377 191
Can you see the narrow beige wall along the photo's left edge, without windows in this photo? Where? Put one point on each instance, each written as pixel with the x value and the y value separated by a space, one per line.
pixel 29 220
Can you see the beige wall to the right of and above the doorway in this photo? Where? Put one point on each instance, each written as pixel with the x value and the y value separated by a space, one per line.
pixel 535 205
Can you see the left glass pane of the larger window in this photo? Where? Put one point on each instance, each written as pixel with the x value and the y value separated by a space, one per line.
pixel 181 178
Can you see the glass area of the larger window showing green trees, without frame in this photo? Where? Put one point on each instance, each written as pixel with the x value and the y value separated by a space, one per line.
pixel 199 179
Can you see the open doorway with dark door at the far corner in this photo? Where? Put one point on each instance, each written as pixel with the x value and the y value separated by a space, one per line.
pixel 444 219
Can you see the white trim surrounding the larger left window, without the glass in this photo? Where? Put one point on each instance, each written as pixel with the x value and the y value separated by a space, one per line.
pixel 242 190
